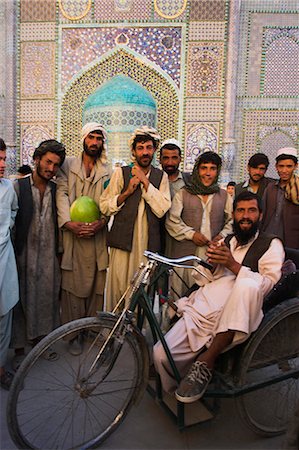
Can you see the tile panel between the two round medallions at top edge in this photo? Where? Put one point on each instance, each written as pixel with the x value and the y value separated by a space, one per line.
pixel 117 10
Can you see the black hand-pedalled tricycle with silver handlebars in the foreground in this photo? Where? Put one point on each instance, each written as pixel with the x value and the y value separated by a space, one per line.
pixel 78 401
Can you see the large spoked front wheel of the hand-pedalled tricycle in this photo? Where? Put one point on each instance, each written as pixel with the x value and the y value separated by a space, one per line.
pixel 55 404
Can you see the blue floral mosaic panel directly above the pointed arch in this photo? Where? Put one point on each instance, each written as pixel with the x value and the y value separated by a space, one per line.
pixel 81 46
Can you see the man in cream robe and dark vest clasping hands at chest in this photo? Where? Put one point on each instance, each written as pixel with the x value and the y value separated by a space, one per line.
pixel 138 197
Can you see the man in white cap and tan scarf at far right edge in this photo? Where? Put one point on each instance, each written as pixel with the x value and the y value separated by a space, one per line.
pixel 281 200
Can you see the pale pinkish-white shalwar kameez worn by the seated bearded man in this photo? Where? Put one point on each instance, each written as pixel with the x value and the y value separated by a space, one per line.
pixel 226 302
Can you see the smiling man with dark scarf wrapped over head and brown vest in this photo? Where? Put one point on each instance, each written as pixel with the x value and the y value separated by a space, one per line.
pixel 201 213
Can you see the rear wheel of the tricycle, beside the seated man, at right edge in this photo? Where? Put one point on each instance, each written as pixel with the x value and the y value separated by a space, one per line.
pixel 272 352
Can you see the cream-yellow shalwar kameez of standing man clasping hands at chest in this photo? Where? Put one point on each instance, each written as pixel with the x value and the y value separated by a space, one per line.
pixel 124 264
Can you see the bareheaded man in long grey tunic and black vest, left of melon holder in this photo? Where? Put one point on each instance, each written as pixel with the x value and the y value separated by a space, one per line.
pixel 36 244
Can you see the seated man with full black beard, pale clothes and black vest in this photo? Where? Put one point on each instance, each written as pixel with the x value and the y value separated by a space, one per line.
pixel 228 305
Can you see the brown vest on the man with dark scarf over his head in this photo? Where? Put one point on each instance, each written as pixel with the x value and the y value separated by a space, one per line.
pixel 192 216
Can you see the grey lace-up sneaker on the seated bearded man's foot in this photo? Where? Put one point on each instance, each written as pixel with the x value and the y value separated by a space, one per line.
pixel 194 384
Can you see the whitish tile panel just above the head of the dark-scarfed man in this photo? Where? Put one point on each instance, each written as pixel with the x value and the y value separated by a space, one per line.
pixel 200 137
